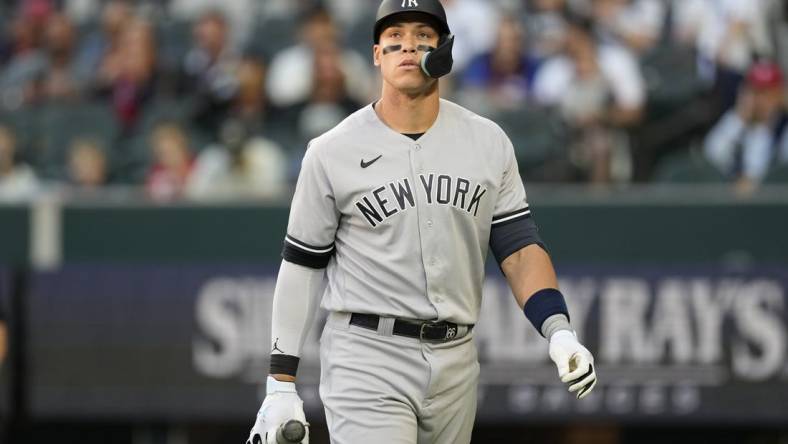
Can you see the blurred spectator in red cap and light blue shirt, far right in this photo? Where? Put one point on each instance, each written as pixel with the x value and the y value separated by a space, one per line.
pixel 752 137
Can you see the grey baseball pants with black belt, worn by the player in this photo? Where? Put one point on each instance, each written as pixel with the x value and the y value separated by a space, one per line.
pixel 382 388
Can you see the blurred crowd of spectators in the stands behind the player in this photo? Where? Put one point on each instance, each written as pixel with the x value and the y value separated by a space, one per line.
pixel 214 99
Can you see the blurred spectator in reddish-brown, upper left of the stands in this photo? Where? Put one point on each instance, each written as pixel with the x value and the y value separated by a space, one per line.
pixel 128 75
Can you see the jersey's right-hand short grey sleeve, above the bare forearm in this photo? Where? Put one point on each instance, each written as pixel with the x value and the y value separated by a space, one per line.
pixel 513 227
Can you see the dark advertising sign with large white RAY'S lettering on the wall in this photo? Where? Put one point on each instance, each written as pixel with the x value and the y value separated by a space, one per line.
pixel 192 342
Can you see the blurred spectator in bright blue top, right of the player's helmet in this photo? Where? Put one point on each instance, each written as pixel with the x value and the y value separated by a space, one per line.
pixel 501 78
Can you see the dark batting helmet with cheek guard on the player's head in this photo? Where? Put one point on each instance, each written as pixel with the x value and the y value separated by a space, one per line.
pixel 436 62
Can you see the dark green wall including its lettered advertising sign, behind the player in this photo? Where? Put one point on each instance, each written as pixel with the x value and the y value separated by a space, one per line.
pixel 161 313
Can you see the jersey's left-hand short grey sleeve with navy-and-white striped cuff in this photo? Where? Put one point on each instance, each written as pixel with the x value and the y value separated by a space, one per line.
pixel 314 217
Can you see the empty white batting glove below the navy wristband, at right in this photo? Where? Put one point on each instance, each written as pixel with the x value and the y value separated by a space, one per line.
pixel 575 363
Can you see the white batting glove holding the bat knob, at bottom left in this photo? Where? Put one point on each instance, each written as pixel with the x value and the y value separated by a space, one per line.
pixel 281 404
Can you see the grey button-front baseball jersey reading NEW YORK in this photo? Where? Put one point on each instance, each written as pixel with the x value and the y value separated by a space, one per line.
pixel 403 226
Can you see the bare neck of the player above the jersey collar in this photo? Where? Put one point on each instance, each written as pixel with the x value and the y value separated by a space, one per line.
pixel 408 114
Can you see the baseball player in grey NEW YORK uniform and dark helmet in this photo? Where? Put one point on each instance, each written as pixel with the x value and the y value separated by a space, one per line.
pixel 393 214
